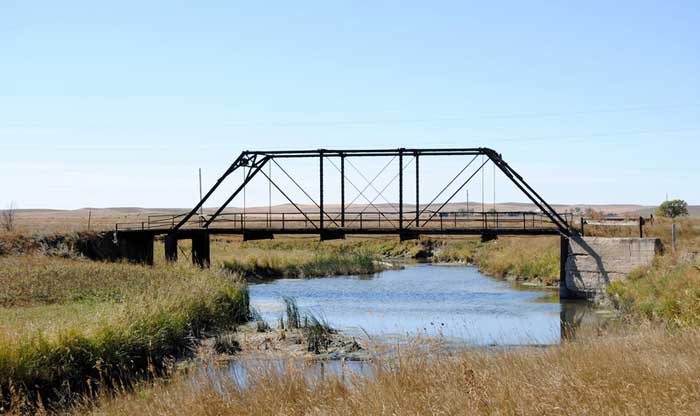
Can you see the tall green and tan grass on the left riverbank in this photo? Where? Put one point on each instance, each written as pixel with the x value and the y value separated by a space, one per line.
pixel 68 326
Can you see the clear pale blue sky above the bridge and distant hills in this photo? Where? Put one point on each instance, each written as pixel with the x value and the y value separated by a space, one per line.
pixel 592 101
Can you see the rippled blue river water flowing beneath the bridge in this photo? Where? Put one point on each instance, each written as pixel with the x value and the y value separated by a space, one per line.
pixel 455 303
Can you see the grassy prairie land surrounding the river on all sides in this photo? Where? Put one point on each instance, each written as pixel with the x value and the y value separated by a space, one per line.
pixel 82 336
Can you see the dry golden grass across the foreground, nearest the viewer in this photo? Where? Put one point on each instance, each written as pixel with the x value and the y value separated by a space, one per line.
pixel 642 372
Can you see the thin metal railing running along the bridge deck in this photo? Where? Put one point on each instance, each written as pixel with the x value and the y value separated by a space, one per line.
pixel 353 220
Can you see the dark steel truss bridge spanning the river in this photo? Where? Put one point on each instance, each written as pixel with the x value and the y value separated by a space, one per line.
pixel 407 219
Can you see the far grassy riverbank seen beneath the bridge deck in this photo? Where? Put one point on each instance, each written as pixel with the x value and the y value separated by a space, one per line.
pixel 532 260
